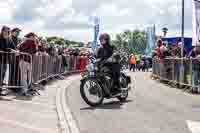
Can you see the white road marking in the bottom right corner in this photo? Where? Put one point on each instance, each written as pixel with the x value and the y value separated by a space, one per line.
pixel 194 126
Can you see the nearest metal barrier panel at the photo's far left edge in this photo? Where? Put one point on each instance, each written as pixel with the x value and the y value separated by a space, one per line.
pixel 13 67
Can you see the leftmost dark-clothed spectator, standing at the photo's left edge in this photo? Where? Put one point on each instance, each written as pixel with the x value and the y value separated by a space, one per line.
pixel 6 45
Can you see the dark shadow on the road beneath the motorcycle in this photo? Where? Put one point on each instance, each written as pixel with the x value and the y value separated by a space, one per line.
pixel 109 105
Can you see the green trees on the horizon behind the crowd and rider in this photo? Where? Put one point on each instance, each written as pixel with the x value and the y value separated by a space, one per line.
pixel 128 41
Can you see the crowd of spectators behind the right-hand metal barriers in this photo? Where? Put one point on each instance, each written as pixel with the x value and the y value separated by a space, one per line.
pixel 191 61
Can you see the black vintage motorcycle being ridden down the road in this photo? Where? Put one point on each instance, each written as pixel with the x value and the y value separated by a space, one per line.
pixel 97 82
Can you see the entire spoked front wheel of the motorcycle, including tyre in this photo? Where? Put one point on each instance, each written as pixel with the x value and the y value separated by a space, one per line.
pixel 92 92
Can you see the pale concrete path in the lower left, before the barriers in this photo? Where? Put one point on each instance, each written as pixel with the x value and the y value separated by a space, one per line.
pixel 37 115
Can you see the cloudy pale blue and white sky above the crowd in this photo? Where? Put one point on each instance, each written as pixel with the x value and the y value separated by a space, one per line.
pixel 70 18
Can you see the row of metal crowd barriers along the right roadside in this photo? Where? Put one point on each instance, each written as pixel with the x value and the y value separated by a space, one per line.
pixel 180 71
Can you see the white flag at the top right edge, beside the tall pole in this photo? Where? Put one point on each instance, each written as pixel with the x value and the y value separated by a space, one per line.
pixel 196 23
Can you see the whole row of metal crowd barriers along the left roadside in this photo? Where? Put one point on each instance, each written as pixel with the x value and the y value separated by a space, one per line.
pixel 18 70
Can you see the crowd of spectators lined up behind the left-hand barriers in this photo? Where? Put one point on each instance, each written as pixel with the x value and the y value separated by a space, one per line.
pixel 11 47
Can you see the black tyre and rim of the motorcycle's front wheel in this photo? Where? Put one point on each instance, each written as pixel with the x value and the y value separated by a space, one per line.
pixel 99 89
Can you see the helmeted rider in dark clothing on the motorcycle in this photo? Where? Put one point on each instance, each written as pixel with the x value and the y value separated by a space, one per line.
pixel 104 53
